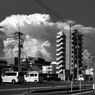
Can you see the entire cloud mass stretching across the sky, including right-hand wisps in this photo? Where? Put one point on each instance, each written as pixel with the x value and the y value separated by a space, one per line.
pixel 40 34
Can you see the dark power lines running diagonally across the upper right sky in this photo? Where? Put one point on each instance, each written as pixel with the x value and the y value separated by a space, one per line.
pixel 59 17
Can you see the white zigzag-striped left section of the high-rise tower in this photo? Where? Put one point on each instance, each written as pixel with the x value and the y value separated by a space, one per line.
pixel 61 52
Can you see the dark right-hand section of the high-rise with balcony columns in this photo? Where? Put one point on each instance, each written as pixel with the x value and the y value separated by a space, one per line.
pixel 77 50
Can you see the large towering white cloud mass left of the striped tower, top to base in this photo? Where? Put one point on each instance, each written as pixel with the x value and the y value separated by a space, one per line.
pixel 35 26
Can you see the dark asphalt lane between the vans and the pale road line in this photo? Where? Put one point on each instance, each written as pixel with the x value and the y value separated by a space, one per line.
pixel 28 85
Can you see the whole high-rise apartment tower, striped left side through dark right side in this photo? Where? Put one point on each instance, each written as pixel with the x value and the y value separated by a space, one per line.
pixel 69 48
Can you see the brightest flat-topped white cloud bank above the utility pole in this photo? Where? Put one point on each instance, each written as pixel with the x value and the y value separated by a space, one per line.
pixel 13 22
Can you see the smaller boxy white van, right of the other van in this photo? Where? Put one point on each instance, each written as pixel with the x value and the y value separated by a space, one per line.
pixel 33 76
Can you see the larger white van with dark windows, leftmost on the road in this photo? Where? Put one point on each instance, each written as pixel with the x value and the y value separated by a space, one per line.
pixel 13 77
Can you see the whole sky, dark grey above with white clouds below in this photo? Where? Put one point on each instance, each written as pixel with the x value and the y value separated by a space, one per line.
pixel 42 43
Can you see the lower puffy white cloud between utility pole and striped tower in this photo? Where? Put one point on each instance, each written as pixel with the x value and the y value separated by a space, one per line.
pixel 35 48
